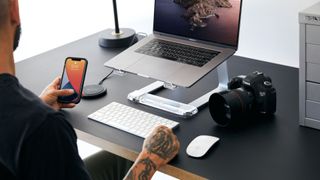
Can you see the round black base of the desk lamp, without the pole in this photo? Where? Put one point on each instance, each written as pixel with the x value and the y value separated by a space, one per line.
pixel 125 38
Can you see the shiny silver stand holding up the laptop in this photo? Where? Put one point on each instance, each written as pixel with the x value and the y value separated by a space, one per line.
pixel 144 96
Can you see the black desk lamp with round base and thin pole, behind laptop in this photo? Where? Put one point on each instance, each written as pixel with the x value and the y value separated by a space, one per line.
pixel 117 38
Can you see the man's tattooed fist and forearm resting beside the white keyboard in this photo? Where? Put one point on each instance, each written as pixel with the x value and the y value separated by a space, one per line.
pixel 158 149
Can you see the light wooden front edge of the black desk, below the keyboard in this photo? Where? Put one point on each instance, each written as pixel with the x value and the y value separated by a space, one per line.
pixel 131 155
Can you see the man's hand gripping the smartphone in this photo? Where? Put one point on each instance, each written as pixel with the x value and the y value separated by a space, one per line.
pixel 50 95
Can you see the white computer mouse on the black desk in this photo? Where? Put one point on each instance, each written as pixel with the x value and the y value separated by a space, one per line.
pixel 200 145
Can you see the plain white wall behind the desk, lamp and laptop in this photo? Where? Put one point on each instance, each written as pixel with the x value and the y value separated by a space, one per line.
pixel 269 28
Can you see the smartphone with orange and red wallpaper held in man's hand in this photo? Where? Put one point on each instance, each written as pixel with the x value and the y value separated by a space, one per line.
pixel 73 76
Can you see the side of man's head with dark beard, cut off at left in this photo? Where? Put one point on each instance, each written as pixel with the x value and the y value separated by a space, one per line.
pixel 10 14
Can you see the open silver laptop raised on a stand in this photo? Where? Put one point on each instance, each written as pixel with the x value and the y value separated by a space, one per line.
pixel 184 31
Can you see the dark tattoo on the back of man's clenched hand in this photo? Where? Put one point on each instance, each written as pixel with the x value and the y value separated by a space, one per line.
pixel 162 145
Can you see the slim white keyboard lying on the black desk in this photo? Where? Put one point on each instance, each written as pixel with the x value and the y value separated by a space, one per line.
pixel 130 119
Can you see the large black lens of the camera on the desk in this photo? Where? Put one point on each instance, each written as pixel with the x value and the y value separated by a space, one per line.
pixel 228 107
